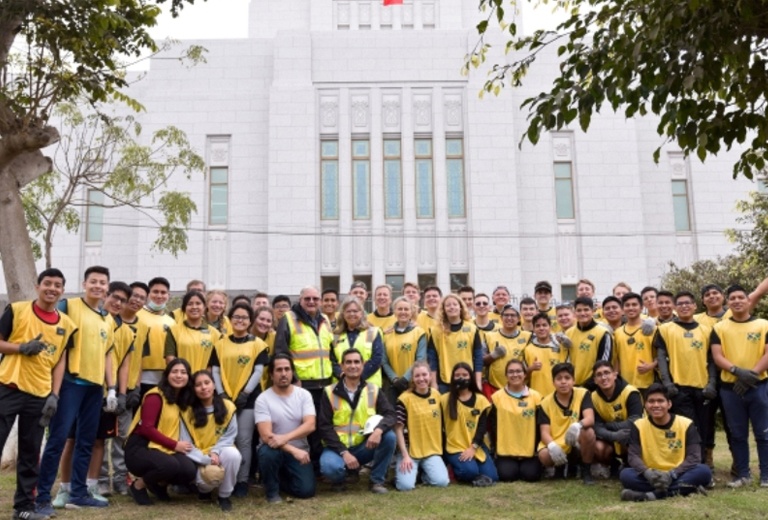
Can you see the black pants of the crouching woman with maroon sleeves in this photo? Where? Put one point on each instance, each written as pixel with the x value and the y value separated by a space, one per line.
pixel 157 467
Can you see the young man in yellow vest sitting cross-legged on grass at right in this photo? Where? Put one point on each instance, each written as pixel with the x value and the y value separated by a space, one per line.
pixel 664 453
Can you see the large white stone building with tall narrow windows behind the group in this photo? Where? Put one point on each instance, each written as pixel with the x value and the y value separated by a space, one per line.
pixel 343 143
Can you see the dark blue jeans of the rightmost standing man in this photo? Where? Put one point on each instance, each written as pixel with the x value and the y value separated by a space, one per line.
pixel 739 412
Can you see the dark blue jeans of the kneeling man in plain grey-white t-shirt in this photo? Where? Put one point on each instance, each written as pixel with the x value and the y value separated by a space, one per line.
pixel 279 469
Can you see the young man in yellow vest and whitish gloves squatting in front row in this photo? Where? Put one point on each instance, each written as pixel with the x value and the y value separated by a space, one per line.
pixel 566 419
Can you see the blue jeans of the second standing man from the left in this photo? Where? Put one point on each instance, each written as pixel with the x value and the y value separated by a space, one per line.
pixel 80 404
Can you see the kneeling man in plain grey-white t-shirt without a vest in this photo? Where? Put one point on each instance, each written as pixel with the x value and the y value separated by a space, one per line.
pixel 284 416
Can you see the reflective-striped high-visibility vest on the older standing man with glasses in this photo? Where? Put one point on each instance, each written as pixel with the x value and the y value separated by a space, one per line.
pixel 311 352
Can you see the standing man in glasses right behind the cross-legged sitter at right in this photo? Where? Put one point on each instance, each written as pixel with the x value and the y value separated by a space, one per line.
pixel 687 371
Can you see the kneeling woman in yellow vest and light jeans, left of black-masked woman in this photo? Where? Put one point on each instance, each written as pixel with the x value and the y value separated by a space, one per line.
pixel 419 410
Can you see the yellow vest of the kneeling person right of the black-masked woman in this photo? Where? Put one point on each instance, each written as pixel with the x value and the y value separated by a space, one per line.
pixel 516 428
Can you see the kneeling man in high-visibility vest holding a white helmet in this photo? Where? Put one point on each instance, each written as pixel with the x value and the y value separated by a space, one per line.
pixel 344 411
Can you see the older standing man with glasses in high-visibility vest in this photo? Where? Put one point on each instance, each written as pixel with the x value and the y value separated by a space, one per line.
pixel 305 334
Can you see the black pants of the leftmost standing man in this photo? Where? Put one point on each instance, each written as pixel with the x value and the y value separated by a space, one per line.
pixel 28 408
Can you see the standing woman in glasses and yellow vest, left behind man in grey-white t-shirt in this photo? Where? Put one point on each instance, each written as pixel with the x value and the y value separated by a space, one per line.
pixel 240 360
